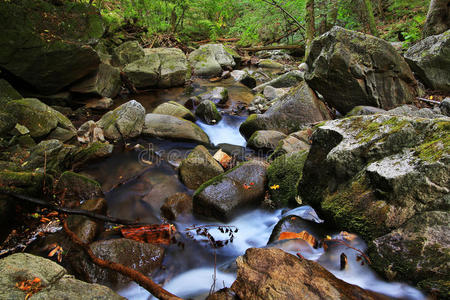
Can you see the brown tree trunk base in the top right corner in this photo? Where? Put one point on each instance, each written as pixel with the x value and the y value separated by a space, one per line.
pixel 437 18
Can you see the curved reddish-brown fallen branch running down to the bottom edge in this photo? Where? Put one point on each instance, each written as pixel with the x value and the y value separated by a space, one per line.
pixel 148 284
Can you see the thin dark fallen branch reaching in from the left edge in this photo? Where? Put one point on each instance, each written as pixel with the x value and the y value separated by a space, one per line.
pixel 72 211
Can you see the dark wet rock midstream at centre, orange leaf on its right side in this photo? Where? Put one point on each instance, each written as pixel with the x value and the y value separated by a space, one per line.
pixel 222 196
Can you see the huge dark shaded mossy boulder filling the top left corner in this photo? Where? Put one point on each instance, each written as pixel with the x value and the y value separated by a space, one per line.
pixel 48 53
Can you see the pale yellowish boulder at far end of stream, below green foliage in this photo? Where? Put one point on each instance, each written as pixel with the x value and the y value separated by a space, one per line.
pixel 208 60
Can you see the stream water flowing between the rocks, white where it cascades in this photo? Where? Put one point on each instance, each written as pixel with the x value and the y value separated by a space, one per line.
pixel 188 272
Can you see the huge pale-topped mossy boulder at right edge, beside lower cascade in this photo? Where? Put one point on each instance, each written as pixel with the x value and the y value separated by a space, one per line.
pixel 381 170
